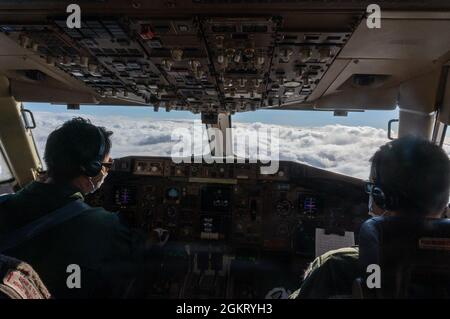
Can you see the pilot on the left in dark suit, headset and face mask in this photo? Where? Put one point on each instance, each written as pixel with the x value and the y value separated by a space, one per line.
pixel 92 254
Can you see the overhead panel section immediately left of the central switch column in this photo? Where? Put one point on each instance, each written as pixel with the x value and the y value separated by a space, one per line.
pixel 177 49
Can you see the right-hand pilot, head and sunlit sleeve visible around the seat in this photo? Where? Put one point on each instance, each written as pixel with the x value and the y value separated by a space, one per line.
pixel 413 171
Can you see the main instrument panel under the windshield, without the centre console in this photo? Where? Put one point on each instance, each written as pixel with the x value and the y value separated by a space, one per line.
pixel 233 204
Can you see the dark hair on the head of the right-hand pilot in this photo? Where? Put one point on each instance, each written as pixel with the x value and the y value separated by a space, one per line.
pixel 415 171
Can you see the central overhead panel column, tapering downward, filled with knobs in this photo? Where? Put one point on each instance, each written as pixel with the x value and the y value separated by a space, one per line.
pixel 241 52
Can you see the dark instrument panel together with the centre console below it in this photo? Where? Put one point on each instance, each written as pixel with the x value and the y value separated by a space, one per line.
pixel 233 231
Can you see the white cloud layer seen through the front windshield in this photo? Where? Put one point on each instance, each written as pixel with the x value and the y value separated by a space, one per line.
pixel 337 148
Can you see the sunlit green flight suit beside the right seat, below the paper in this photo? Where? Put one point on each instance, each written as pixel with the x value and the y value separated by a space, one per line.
pixel 330 275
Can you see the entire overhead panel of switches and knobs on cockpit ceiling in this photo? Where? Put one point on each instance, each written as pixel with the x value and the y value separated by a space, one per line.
pixel 200 64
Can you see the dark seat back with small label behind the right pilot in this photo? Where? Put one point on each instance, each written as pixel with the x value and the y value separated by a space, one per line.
pixel 413 255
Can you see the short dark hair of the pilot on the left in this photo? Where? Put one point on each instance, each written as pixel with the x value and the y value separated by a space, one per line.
pixel 73 145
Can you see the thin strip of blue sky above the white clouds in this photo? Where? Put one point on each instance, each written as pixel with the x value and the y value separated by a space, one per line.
pixel 377 119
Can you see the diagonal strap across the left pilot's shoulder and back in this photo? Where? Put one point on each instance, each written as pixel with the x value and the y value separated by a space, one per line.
pixel 42 224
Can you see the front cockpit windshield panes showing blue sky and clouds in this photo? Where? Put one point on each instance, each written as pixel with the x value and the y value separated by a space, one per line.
pixel 339 144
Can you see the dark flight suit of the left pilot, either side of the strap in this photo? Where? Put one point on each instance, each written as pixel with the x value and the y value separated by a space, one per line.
pixel 108 253
